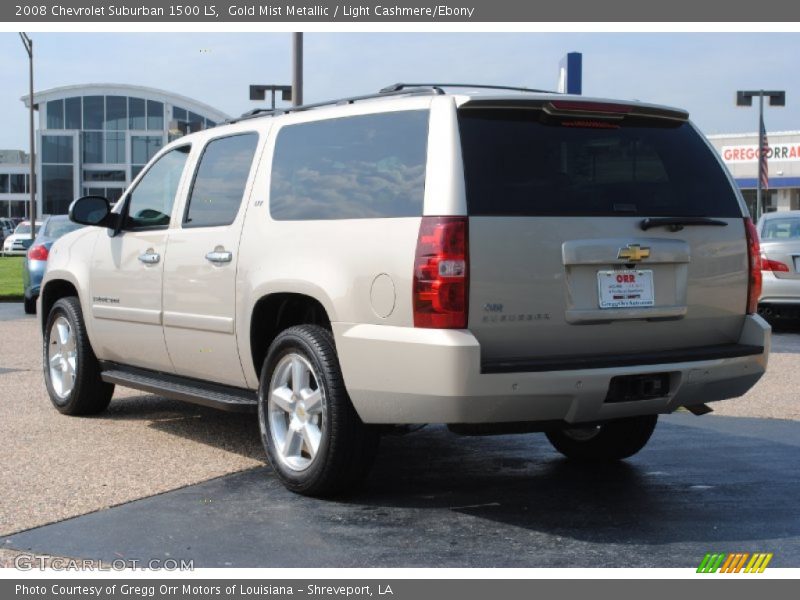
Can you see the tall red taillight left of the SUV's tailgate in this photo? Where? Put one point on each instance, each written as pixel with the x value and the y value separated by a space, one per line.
pixel 441 273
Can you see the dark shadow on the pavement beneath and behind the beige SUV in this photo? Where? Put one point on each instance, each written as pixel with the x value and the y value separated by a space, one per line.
pixel 689 484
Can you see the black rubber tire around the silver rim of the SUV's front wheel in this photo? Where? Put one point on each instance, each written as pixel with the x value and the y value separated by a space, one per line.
pixel 89 394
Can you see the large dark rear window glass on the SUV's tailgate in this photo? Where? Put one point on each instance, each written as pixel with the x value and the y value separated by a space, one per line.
pixel 527 163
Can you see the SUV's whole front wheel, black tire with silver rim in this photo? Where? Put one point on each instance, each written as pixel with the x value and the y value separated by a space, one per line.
pixel 71 370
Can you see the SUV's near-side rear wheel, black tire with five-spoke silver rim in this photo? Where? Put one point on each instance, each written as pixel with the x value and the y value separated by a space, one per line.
pixel 315 441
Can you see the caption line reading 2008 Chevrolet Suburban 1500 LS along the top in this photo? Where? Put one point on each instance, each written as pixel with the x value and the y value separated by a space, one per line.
pixel 212 11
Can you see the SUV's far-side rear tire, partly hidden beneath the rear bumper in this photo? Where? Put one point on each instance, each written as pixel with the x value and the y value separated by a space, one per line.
pixel 613 440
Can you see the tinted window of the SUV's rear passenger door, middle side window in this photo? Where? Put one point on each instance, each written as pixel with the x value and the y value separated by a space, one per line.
pixel 220 180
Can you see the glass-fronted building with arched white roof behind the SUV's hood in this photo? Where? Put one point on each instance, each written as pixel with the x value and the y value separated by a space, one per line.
pixel 95 139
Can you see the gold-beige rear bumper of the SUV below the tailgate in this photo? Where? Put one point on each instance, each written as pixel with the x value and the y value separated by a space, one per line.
pixel 406 375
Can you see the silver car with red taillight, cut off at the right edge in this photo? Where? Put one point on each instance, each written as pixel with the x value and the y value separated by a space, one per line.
pixel 780 265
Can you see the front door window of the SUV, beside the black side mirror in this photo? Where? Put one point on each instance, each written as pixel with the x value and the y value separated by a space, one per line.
pixel 150 202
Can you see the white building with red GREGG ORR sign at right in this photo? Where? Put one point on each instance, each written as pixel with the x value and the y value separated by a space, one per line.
pixel 740 154
